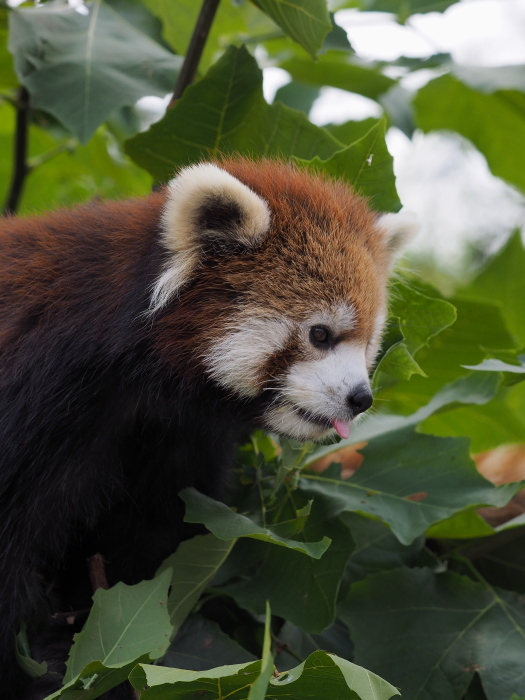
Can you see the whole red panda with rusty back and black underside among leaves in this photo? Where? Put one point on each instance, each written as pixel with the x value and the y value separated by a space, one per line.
pixel 141 340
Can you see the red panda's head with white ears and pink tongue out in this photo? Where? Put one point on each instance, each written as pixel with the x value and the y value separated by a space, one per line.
pixel 281 277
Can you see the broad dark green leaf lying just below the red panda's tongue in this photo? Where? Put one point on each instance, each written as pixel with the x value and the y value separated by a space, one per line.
pixel 409 481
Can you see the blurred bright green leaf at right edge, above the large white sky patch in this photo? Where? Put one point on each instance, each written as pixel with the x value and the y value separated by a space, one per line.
pixel 446 103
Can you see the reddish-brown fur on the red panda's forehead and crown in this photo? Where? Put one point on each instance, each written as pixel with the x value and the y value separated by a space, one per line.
pixel 322 248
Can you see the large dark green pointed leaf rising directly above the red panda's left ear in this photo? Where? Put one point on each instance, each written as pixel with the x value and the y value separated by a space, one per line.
pixel 225 112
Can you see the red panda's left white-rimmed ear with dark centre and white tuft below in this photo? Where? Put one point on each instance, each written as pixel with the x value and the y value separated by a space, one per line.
pixel 205 204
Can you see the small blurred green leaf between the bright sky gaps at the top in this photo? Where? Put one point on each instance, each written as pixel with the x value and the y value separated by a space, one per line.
pixel 341 70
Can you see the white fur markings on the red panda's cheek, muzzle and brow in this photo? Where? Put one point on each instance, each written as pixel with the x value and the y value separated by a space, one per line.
pixel 315 390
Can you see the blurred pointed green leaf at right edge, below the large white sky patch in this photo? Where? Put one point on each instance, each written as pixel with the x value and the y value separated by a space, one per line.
pixel 503 282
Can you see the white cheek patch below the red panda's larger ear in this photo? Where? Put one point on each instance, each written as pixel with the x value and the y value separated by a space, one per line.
pixel 235 361
